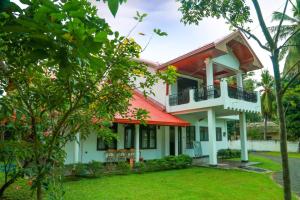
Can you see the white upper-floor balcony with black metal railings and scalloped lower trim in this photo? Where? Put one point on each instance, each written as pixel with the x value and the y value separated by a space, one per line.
pixel 229 98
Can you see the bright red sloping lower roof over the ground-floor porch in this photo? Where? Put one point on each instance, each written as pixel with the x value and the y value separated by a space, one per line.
pixel 156 113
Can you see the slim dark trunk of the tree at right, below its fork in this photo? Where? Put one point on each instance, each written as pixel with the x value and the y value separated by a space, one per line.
pixel 282 127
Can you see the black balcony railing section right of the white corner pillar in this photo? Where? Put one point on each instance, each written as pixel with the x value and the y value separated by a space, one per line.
pixel 239 93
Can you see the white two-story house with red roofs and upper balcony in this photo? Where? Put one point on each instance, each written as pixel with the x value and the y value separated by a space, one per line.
pixel 188 117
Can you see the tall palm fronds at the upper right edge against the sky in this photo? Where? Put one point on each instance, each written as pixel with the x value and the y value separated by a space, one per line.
pixel 290 27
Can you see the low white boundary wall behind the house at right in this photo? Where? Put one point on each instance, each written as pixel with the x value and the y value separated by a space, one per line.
pixel 269 145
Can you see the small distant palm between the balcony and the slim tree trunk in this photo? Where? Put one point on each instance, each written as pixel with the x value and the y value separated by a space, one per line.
pixel 267 98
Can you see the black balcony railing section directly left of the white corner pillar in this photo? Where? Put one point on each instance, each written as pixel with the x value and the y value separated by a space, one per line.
pixel 209 92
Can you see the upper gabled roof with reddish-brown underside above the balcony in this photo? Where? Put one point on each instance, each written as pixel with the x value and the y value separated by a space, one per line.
pixel 193 63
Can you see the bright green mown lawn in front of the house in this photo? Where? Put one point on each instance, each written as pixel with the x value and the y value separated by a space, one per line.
pixel 194 183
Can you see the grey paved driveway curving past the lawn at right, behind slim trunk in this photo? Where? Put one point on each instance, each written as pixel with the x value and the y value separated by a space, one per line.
pixel 294 165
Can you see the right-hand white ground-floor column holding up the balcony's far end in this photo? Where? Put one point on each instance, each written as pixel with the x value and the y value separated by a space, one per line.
pixel 243 137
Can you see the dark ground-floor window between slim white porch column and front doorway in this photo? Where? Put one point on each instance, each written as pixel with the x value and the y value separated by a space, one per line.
pixel 148 137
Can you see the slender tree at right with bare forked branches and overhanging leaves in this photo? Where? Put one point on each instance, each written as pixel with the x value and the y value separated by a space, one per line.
pixel 237 14
